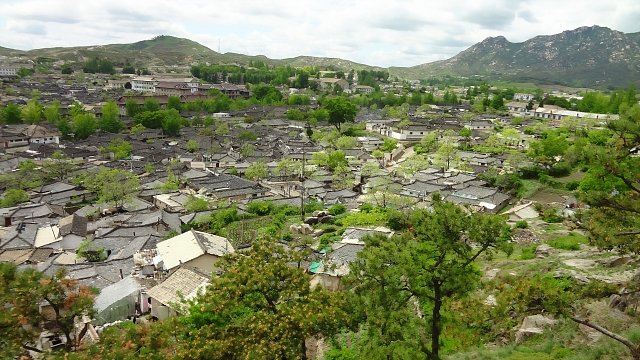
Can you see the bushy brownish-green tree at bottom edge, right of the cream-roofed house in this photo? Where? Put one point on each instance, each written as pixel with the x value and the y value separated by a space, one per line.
pixel 260 307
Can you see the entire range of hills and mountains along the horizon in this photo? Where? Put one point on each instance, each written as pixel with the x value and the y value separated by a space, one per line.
pixel 593 56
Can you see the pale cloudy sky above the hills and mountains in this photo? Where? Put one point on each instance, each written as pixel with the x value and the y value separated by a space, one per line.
pixel 381 33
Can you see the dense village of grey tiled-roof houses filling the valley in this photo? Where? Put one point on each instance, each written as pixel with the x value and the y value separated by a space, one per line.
pixel 151 244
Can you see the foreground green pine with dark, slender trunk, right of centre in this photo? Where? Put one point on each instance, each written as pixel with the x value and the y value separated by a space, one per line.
pixel 398 280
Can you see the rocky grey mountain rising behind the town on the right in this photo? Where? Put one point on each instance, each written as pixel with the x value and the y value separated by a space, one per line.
pixel 587 56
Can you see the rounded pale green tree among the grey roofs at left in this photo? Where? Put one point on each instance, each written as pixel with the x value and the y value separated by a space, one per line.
pixel 114 186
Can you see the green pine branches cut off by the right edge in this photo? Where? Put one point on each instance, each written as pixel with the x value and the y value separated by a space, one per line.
pixel 611 185
